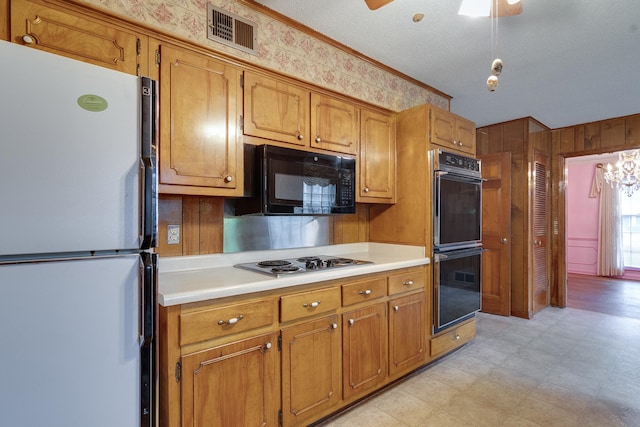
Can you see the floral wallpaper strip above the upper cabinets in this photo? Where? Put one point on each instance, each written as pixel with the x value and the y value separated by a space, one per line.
pixel 281 48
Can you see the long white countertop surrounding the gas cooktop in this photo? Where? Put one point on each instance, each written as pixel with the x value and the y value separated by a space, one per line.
pixel 203 277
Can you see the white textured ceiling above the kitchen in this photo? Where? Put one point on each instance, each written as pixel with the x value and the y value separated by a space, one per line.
pixel 566 62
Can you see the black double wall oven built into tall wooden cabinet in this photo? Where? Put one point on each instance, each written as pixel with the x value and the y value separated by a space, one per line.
pixel 457 238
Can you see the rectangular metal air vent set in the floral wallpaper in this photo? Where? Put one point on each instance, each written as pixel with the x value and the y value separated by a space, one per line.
pixel 232 30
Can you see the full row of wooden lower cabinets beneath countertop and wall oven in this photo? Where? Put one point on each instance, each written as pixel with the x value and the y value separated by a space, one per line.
pixel 292 358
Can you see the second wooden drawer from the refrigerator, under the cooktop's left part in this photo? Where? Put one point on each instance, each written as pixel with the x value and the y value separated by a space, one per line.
pixel 309 303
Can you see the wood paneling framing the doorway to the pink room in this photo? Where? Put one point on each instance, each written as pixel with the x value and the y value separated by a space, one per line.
pixel 604 136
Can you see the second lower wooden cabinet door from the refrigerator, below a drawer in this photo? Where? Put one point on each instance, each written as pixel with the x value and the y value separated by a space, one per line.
pixel 310 370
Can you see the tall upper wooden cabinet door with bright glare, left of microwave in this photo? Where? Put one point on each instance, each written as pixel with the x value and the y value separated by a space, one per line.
pixel 199 150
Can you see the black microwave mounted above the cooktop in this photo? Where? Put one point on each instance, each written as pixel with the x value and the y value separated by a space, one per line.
pixel 284 181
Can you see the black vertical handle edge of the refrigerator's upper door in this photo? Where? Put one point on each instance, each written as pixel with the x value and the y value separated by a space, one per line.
pixel 149 136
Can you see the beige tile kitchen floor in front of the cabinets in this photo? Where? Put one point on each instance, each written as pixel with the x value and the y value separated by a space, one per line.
pixel 565 367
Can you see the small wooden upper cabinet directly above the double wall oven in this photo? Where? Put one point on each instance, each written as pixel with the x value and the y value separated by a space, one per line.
pixel 452 132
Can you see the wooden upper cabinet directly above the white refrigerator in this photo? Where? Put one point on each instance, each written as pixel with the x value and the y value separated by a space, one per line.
pixel 74 35
